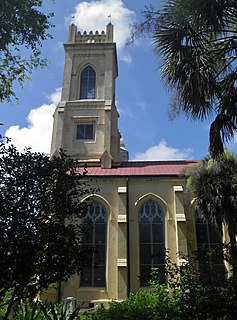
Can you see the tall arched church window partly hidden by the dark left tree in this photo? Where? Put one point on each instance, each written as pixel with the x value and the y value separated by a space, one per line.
pixel 94 237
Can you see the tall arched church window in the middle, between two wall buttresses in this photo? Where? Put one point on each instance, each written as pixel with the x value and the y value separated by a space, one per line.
pixel 152 242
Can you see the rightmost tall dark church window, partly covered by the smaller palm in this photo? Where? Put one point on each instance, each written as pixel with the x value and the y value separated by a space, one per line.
pixel 209 250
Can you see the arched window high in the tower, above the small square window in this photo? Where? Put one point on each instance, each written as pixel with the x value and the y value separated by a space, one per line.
pixel 87 89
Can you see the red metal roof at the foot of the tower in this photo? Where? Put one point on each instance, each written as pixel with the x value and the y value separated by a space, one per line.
pixel 143 168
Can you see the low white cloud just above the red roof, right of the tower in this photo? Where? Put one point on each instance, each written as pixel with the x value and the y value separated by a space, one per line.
pixel 163 152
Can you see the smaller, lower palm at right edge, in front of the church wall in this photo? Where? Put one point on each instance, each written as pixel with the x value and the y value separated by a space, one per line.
pixel 213 184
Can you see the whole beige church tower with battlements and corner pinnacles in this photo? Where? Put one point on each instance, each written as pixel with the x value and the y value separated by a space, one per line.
pixel 86 119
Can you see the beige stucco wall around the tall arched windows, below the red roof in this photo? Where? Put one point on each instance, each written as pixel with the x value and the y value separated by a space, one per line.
pixel 113 196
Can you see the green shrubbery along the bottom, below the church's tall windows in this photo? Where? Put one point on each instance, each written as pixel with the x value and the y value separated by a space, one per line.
pixel 187 298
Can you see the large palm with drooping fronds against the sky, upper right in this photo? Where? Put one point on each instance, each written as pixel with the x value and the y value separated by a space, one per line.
pixel 197 43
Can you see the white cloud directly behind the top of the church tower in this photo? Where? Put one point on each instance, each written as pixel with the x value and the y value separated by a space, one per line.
pixel 93 16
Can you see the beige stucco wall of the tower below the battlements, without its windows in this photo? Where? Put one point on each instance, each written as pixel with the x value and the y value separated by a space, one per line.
pixel 100 111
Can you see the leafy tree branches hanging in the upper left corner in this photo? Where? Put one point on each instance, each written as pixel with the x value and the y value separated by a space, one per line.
pixel 23 29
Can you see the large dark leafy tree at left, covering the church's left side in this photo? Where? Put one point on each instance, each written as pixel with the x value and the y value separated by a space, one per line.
pixel 40 232
